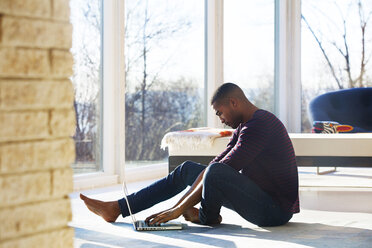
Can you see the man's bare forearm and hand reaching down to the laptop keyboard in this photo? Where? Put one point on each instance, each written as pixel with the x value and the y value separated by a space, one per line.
pixel 190 199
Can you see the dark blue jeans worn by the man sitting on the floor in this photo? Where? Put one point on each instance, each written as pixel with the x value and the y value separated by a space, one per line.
pixel 222 186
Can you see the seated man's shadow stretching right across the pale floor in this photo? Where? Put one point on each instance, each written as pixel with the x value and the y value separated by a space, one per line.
pixel 309 234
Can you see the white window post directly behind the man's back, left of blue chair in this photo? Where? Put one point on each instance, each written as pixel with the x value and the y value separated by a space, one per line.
pixel 288 63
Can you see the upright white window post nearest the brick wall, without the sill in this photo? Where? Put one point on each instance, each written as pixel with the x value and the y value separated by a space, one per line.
pixel 113 87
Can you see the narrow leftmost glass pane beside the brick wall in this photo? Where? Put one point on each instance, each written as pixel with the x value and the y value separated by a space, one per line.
pixel 86 49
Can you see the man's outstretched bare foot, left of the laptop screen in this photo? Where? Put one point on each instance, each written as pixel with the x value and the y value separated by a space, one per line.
pixel 109 211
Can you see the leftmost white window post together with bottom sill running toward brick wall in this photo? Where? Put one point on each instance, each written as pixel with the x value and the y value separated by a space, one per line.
pixel 113 100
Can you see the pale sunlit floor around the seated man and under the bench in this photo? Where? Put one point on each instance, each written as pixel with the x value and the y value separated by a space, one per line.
pixel 310 228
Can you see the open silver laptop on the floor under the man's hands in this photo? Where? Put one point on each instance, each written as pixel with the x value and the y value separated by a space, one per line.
pixel 141 225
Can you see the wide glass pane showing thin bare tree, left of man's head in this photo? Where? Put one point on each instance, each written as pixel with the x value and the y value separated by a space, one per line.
pixel 164 50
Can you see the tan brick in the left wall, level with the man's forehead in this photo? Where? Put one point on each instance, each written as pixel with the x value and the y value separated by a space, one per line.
pixel 35 94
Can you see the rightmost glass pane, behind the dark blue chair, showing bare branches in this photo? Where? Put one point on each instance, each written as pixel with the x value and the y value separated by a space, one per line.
pixel 333 49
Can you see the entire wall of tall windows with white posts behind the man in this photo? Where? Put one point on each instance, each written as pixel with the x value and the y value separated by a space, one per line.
pixel 165 67
